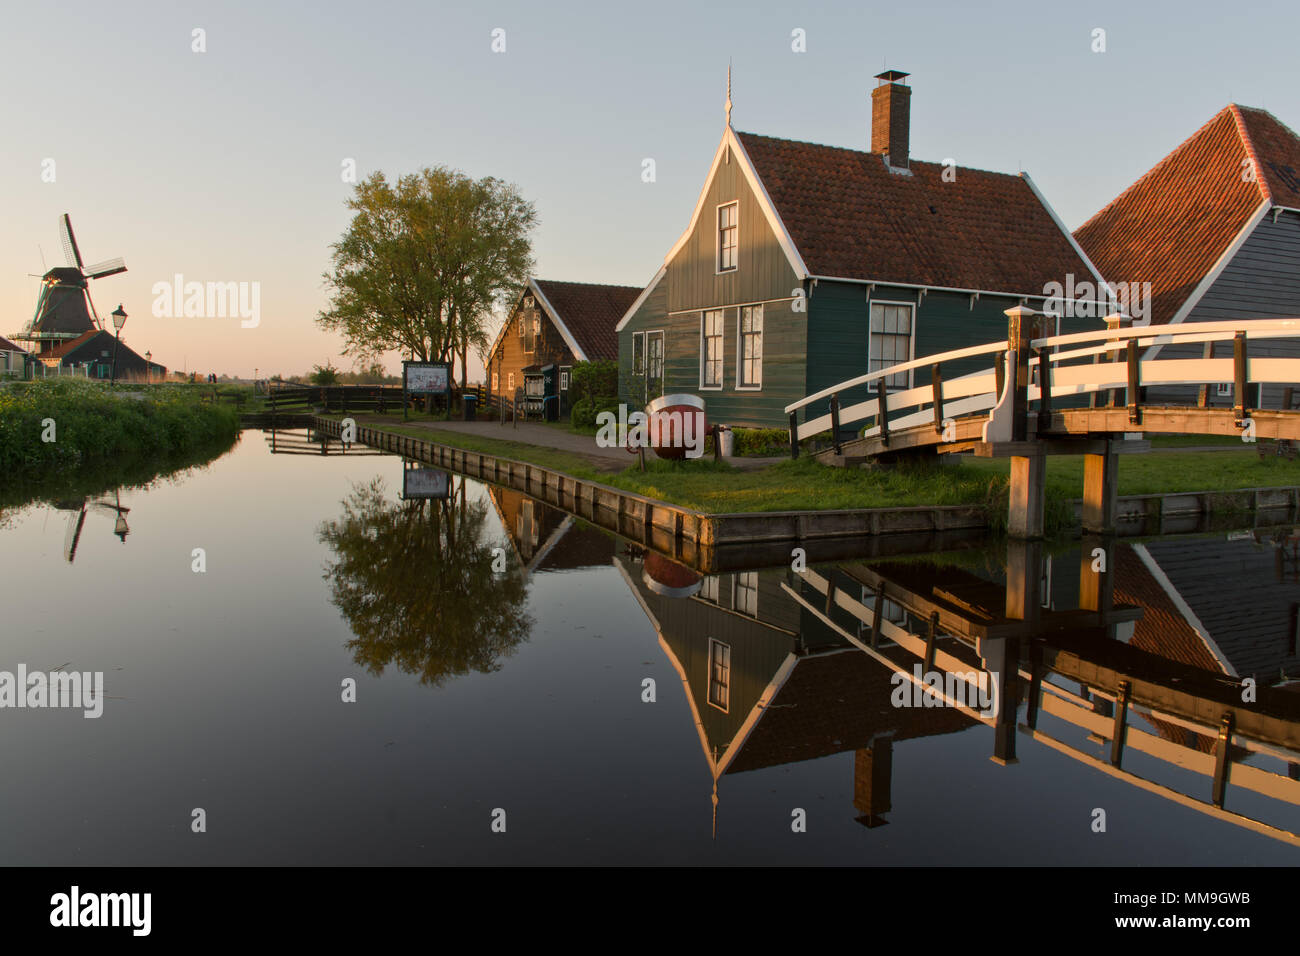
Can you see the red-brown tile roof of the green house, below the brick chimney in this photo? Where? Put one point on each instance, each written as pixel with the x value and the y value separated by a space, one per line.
pixel 852 218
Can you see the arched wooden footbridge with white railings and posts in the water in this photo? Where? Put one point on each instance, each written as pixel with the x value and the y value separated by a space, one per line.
pixel 1011 409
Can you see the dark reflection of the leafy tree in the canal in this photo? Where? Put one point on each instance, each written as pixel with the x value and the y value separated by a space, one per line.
pixel 414 579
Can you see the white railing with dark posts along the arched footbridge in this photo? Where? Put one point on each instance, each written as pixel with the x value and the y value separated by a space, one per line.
pixel 1077 364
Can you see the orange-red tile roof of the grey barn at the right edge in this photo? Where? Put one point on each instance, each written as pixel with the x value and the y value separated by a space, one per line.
pixel 1172 226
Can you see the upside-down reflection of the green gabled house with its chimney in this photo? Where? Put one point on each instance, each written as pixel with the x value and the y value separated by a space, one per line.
pixel 770 684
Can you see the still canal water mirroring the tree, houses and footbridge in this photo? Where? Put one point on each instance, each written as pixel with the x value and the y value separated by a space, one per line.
pixel 521 697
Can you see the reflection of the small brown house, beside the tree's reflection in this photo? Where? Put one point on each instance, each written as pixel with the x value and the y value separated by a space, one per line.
pixel 547 539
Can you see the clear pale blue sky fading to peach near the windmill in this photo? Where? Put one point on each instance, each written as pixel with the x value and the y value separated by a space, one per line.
pixel 226 166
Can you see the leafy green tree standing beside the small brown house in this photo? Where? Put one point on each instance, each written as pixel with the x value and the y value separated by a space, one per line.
pixel 424 262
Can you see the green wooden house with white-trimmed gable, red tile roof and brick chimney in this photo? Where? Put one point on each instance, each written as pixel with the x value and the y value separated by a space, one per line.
pixel 805 266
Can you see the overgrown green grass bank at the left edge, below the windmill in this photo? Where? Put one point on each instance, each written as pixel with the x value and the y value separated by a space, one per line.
pixel 54 427
